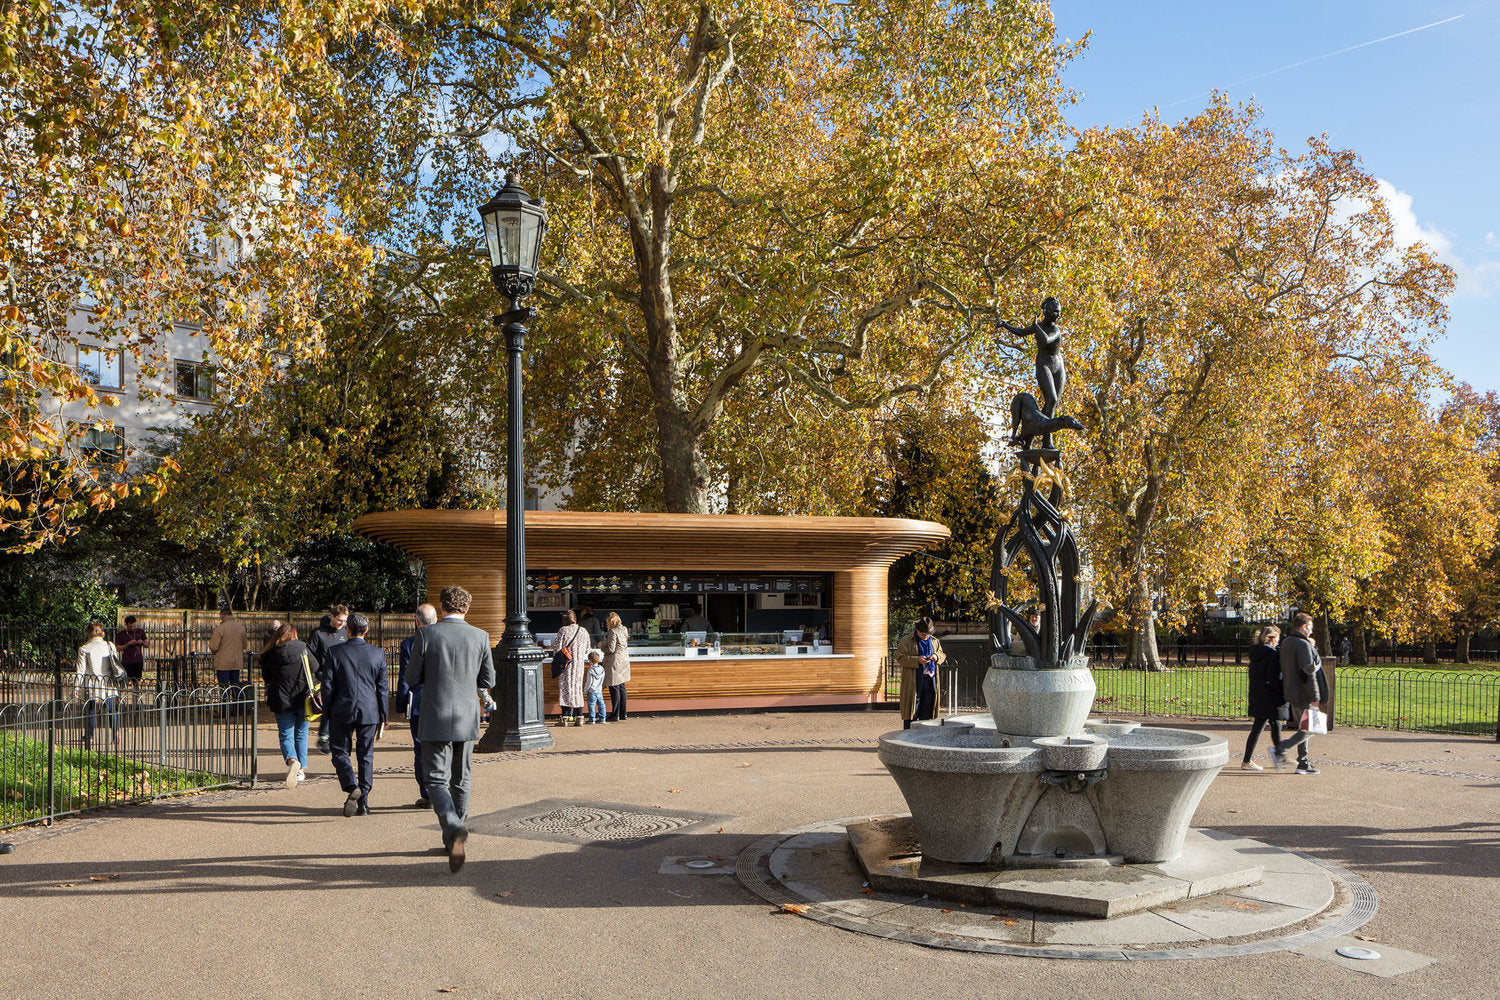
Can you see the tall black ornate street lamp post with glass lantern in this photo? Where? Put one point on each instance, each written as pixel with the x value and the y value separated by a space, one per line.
pixel 514 227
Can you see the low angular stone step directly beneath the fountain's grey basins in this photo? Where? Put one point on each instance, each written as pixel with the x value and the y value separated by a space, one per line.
pixel 1097 887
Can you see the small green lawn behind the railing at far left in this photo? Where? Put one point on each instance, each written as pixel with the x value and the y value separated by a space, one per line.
pixel 82 780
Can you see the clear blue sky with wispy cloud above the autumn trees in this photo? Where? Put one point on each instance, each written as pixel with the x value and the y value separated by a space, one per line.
pixel 1423 110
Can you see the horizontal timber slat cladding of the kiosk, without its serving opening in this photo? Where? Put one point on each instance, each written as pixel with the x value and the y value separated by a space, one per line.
pixel 469 548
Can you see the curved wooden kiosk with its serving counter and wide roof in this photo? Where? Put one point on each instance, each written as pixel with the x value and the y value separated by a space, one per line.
pixel 829 573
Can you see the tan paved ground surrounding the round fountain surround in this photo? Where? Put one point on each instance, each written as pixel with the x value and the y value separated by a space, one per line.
pixel 274 894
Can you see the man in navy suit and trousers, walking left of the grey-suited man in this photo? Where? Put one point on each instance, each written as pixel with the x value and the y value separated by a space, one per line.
pixel 355 690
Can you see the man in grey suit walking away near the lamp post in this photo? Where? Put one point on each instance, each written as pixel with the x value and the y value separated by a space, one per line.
pixel 452 662
